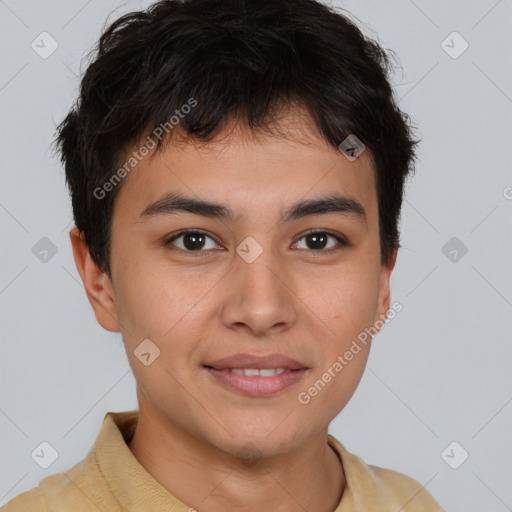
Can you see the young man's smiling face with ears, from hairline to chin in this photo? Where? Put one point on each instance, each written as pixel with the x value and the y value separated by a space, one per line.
pixel 269 280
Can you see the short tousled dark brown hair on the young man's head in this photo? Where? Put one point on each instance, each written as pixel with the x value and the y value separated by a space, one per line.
pixel 237 58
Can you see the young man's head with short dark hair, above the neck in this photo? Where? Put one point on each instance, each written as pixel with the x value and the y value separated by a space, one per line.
pixel 237 109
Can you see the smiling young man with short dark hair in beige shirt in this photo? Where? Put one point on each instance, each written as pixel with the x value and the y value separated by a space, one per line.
pixel 236 171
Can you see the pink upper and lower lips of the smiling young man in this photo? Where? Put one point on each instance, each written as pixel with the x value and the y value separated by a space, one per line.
pixel 256 385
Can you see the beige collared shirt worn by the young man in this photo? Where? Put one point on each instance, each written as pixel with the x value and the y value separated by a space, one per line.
pixel 110 479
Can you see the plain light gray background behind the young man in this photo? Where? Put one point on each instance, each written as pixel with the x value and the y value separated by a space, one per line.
pixel 439 372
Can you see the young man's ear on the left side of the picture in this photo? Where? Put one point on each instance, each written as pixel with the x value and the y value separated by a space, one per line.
pixel 97 284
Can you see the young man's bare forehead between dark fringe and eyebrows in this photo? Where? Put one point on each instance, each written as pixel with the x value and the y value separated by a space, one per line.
pixel 242 167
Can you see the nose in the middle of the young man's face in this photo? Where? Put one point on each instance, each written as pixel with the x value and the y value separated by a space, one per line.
pixel 260 300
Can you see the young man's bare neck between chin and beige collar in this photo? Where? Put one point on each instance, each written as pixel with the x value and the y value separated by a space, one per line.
pixel 309 478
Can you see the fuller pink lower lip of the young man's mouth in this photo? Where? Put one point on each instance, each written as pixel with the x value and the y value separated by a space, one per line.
pixel 256 385
